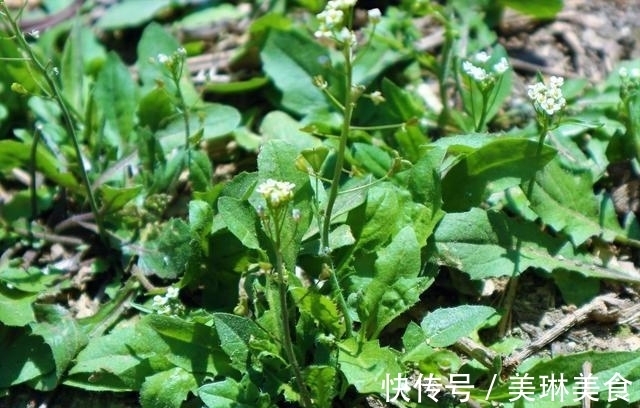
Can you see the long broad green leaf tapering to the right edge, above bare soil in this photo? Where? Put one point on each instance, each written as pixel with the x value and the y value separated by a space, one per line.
pixel 483 244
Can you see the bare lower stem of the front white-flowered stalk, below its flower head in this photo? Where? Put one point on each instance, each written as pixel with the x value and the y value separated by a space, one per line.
pixel 286 331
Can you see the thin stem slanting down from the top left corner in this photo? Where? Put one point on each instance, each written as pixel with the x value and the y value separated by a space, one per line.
pixel 66 115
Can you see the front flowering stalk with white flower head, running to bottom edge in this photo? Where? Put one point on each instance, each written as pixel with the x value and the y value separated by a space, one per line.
pixel 277 195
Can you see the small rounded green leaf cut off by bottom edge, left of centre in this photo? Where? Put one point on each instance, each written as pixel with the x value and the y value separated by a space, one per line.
pixel 167 388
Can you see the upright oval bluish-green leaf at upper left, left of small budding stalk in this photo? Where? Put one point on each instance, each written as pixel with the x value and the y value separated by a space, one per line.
pixel 115 93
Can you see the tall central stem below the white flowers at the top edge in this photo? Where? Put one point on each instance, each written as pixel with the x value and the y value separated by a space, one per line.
pixel 335 183
